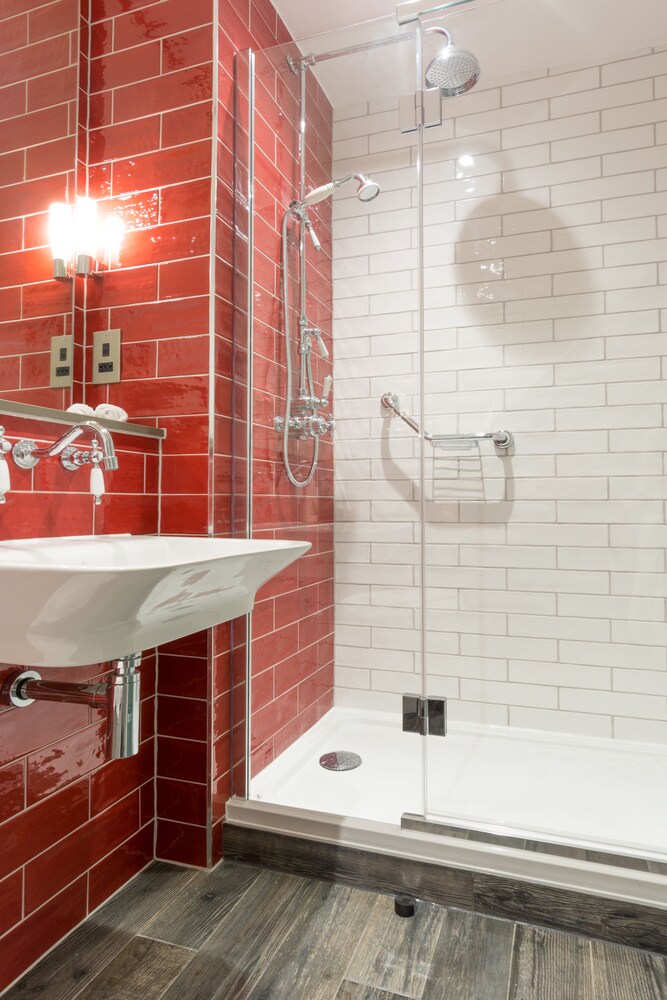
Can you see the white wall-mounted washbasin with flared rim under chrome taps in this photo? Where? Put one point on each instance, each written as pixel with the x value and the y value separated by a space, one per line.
pixel 87 599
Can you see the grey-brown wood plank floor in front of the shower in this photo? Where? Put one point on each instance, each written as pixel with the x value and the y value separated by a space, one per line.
pixel 245 933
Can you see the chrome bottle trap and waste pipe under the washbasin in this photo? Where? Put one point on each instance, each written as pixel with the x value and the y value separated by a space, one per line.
pixel 119 697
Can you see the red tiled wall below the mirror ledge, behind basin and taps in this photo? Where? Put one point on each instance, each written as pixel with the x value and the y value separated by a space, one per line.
pixel 74 825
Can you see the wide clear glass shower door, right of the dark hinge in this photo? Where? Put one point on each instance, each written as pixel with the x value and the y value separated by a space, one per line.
pixel 544 569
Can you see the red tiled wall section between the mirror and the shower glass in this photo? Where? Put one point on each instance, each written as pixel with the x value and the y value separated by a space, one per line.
pixel 149 157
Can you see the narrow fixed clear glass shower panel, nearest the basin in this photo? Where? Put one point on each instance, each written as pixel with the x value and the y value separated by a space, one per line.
pixel 349 124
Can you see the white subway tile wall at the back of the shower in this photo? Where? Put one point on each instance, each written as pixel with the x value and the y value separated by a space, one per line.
pixel 545 206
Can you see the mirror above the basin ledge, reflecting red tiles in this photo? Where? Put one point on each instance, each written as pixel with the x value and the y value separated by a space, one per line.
pixel 38 90
